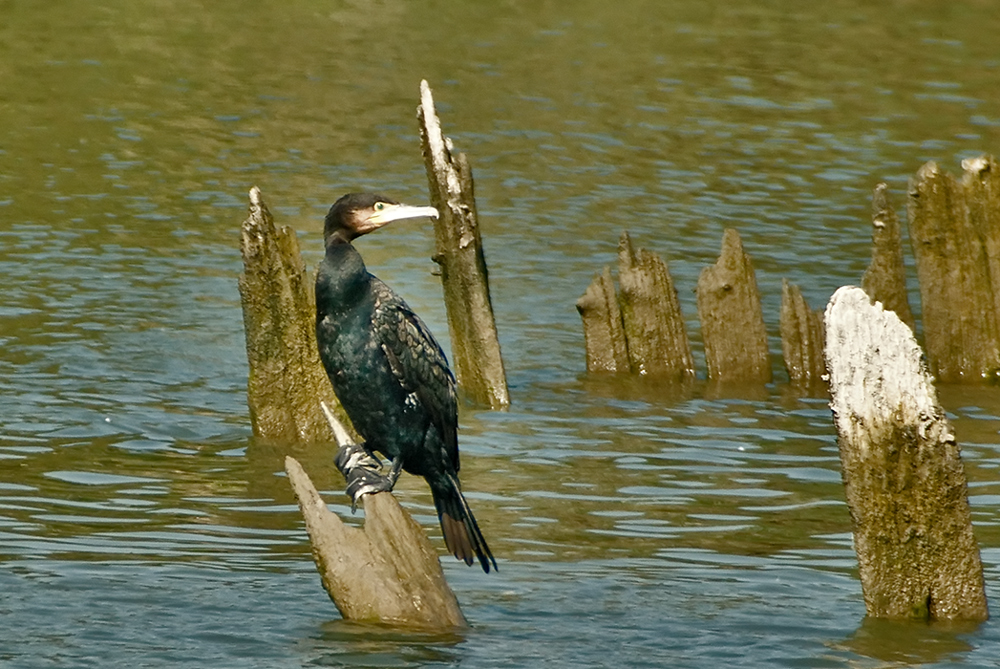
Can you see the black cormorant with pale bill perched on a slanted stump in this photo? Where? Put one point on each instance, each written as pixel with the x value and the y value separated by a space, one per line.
pixel 389 373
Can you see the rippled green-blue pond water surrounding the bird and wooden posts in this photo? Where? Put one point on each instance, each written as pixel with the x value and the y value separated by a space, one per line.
pixel 142 525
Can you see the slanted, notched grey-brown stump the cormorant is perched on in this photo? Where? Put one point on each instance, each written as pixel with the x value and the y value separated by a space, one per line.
pixel 387 572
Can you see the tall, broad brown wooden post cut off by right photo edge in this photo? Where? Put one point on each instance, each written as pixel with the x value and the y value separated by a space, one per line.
pixel 959 314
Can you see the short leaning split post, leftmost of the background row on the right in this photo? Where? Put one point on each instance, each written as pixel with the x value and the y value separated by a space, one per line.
pixel 602 326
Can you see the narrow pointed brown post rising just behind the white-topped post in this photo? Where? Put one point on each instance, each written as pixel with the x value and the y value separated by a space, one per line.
pixel 885 278
